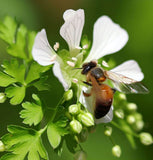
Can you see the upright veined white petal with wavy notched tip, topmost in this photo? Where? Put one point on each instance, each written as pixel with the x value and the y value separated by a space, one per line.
pixel 71 30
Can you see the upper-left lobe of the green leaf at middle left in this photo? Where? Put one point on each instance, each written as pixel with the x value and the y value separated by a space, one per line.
pixel 15 70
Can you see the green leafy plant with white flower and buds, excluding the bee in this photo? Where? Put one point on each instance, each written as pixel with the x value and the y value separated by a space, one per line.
pixel 73 118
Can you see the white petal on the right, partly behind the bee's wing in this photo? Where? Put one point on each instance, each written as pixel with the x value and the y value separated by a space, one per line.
pixel 129 69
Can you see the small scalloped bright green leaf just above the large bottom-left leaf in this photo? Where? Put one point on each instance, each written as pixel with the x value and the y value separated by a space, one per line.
pixel 32 113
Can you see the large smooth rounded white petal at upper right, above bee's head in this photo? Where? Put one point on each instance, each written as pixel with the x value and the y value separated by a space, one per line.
pixel 108 37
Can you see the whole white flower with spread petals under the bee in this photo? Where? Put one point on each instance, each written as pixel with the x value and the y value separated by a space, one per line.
pixel 108 38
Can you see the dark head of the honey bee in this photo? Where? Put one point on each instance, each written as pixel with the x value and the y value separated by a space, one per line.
pixel 86 67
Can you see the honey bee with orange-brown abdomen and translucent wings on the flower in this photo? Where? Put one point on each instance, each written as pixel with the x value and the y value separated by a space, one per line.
pixel 103 93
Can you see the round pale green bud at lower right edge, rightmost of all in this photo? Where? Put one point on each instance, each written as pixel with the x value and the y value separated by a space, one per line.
pixel 146 138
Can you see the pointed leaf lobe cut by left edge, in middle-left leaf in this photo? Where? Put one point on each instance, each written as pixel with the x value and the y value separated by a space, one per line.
pixel 6 80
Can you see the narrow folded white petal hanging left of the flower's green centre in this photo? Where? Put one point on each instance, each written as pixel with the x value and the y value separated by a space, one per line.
pixel 58 73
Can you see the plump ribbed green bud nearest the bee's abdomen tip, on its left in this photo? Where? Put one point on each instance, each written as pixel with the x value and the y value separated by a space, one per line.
pixel 86 118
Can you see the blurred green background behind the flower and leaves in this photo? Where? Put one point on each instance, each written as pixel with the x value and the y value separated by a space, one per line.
pixel 136 16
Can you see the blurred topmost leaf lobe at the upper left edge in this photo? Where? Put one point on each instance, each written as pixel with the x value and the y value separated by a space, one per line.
pixel 8 29
